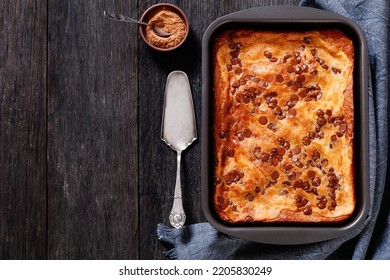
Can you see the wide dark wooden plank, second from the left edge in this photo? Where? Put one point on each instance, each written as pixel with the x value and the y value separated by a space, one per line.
pixel 92 132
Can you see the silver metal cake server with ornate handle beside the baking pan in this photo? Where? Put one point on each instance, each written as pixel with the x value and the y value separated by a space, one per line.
pixel 178 131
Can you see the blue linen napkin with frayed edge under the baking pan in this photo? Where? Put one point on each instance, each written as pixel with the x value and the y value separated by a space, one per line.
pixel 372 239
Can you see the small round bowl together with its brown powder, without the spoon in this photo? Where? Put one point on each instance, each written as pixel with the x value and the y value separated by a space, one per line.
pixel 171 20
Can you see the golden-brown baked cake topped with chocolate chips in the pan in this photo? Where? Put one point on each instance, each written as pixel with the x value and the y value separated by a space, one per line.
pixel 283 126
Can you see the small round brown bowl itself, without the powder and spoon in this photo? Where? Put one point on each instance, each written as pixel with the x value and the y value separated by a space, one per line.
pixel 162 6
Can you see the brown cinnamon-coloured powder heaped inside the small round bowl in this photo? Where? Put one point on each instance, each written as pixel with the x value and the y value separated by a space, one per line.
pixel 169 22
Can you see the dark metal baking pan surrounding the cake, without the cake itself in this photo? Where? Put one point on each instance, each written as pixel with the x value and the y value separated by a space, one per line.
pixel 289 18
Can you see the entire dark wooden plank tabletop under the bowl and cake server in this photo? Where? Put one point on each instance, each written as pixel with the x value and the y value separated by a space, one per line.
pixel 83 172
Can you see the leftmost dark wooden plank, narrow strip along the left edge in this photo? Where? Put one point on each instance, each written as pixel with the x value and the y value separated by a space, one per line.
pixel 23 130
